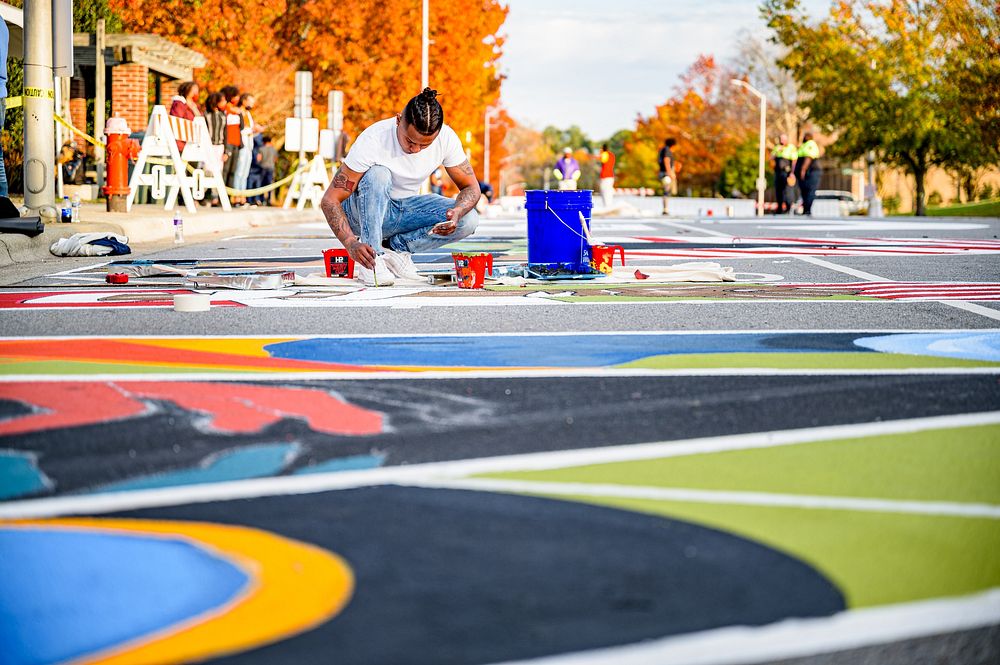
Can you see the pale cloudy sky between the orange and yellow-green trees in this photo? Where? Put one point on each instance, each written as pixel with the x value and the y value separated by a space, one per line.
pixel 599 63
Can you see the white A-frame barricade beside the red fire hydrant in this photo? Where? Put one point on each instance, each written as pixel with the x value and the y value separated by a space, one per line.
pixel 161 142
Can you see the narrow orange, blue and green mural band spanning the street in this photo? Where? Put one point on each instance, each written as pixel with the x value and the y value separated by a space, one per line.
pixel 379 354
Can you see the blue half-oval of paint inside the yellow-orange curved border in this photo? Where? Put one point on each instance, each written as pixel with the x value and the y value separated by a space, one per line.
pixel 68 593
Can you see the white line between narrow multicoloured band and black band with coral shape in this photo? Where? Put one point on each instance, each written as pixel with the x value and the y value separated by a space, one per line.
pixel 501 373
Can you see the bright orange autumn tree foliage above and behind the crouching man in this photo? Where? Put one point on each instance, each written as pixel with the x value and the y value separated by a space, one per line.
pixel 370 50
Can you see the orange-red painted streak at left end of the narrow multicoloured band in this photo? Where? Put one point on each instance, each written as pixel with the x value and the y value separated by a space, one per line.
pixel 122 351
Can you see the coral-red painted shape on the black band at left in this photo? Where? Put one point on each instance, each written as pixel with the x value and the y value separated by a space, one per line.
pixel 229 407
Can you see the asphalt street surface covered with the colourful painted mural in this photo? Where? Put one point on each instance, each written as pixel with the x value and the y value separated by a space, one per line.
pixel 799 464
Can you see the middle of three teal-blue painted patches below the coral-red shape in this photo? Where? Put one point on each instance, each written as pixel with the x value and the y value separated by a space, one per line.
pixel 255 461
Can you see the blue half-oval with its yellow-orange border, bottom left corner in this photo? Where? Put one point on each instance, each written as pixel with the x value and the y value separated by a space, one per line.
pixel 105 591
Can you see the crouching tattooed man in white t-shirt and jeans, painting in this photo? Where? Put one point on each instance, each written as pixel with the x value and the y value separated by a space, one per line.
pixel 373 206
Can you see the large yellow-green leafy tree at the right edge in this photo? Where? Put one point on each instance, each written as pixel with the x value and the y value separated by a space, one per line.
pixel 906 78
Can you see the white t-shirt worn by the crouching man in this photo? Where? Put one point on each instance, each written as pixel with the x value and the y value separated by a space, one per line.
pixel 379 146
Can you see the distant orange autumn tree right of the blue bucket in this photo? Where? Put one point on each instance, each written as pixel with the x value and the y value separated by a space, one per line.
pixel 709 119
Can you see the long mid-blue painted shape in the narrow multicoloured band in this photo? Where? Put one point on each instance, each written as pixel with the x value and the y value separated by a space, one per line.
pixel 545 350
